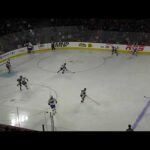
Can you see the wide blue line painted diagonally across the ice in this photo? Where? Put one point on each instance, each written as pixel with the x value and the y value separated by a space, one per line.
pixel 141 115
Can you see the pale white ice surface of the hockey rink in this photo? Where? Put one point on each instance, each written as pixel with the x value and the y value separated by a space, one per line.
pixel 116 87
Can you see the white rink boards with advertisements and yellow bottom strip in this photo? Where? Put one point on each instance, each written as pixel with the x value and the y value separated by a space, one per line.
pixel 101 47
